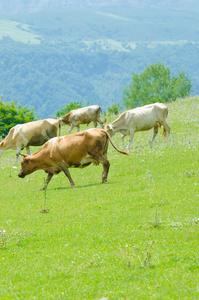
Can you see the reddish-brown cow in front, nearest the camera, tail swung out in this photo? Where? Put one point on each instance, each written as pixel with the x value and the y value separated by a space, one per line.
pixel 77 150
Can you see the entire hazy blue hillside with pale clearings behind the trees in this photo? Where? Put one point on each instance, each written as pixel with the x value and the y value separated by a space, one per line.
pixel 49 59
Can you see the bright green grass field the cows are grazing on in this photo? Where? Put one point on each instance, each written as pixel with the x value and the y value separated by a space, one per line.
pixel 135 237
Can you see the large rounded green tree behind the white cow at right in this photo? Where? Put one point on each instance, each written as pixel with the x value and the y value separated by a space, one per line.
pixel 155 84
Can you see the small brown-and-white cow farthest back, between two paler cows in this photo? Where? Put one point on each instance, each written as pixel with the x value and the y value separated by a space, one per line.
pixel 83 115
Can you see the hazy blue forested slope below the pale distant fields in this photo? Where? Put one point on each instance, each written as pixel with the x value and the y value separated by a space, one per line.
pixel 47 77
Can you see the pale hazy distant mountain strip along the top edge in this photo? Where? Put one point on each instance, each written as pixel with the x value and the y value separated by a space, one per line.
pixel 21 6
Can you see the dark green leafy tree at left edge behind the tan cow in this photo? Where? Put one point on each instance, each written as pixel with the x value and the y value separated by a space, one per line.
pixel 12 114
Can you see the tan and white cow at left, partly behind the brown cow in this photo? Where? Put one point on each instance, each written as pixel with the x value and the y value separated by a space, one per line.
pixel 34 133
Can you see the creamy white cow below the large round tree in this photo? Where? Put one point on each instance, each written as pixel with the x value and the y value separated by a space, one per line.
pixel 140 119
